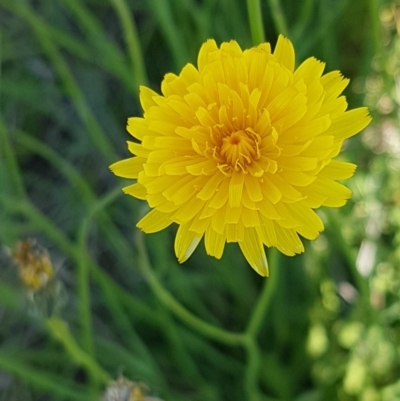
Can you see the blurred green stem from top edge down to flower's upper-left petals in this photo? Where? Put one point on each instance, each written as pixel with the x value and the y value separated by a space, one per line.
pixel 132 41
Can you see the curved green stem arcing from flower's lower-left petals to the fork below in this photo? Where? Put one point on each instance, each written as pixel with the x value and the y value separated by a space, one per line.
pixel 174 306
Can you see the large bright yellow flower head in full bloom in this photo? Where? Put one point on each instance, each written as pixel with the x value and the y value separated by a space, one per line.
pixel 242 149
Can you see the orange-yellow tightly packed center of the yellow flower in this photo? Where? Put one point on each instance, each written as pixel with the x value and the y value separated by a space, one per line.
pixel 240 148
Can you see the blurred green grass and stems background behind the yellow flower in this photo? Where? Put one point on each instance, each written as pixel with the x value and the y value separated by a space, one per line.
pixel 70 72
